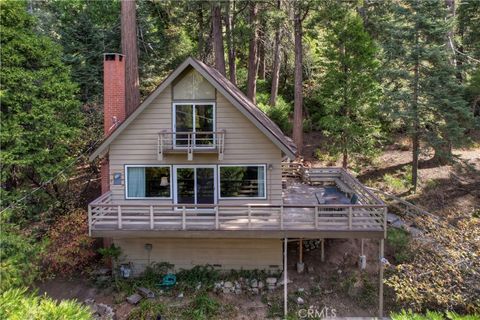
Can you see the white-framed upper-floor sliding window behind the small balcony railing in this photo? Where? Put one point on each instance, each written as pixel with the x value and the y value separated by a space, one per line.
pixel 199 119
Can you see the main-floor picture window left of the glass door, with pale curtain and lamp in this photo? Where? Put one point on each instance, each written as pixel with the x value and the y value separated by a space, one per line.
pixel 148 182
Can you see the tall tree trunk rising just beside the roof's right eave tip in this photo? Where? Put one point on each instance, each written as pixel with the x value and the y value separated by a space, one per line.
pixel 298 94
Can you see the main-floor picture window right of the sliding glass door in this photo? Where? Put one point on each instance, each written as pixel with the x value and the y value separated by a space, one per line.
pixel 242 181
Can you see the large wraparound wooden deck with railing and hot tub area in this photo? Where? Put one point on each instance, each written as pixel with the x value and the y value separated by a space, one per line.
pixel 306 210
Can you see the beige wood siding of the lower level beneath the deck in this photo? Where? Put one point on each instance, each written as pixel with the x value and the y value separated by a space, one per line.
pixel 227 254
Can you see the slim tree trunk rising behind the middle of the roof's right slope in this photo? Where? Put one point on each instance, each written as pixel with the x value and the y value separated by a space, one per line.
pixel 252 59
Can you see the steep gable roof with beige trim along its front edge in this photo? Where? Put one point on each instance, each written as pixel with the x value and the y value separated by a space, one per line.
pixel 231 93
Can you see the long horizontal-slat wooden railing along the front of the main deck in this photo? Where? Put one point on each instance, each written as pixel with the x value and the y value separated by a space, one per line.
pixel 103 215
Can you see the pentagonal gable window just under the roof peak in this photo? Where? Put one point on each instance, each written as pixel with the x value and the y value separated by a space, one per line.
pixel 193 87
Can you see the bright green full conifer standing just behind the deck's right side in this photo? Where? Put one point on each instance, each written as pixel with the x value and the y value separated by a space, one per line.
pixel 349 91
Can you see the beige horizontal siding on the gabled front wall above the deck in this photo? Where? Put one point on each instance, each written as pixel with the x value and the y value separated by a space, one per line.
pixel 244 144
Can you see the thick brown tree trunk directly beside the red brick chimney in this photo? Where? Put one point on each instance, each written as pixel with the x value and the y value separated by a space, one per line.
pixel 129 49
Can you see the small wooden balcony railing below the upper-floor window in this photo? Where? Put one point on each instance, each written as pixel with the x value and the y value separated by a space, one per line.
pixel 191 142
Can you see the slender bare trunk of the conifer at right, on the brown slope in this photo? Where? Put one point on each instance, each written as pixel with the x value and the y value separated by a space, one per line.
pixel 416 121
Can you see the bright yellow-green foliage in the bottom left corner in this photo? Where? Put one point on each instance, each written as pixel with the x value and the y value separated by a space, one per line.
pixel 18 304
